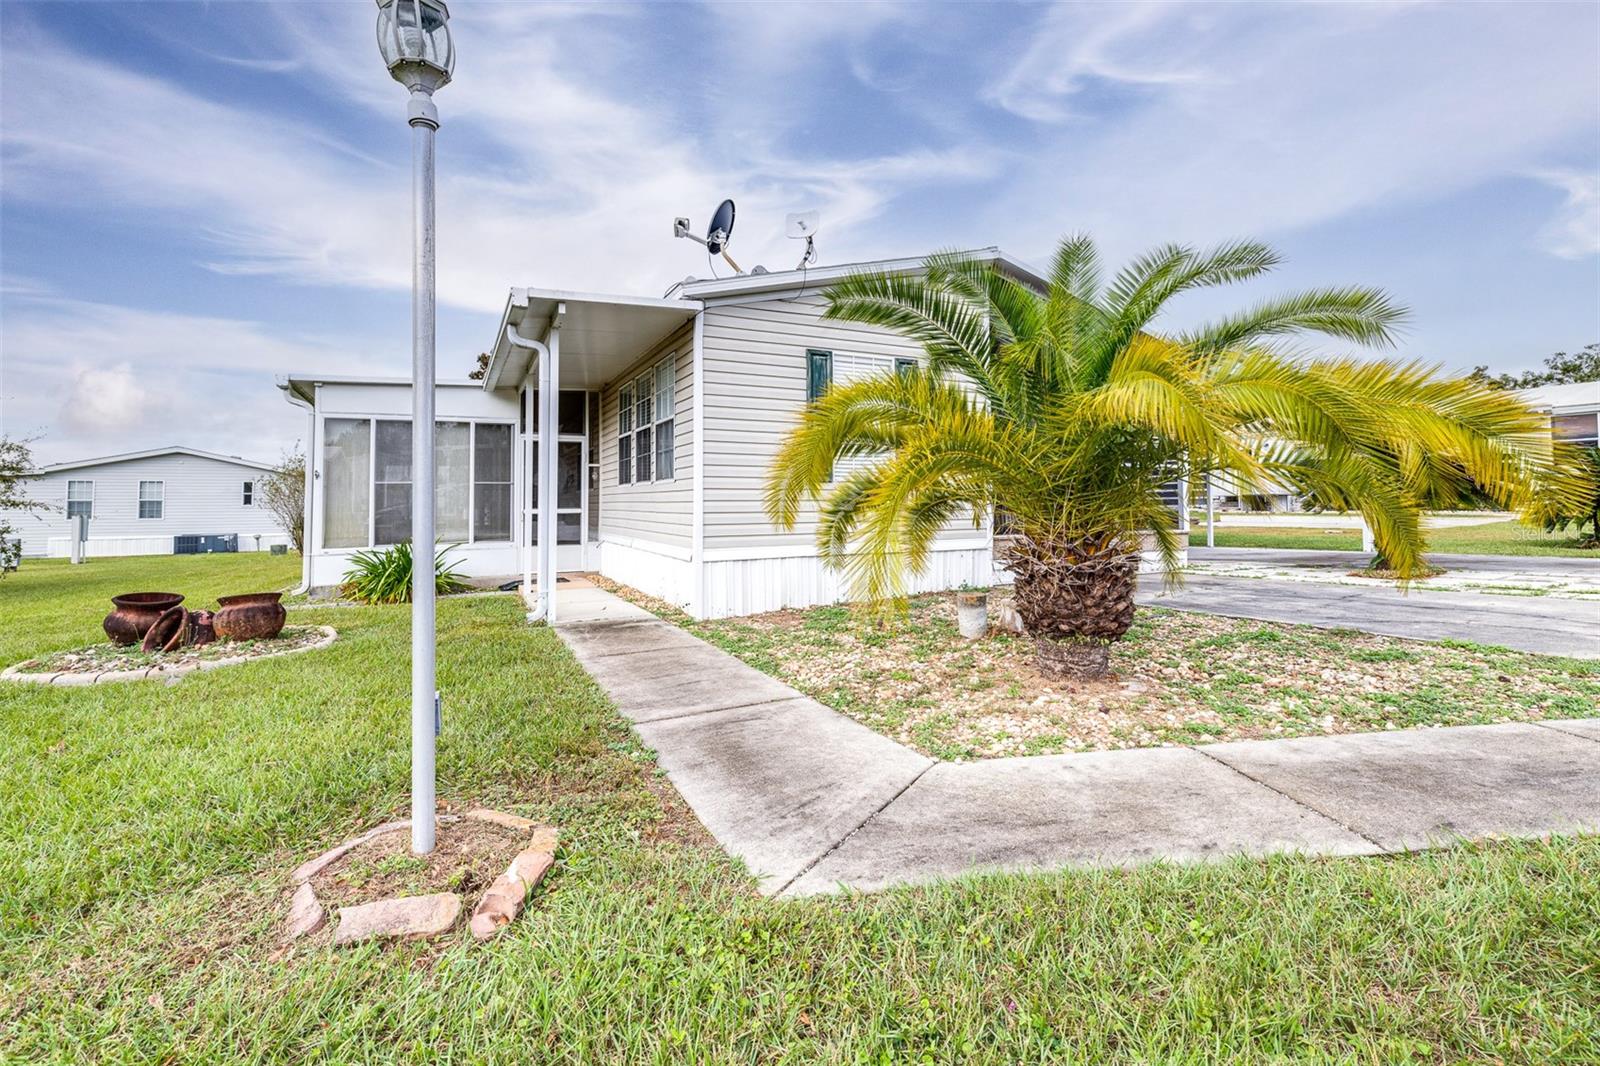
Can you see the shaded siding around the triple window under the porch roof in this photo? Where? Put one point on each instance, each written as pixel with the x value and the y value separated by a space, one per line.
pixel 660 510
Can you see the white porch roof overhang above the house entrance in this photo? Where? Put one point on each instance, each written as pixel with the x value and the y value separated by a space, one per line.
pixel 601 335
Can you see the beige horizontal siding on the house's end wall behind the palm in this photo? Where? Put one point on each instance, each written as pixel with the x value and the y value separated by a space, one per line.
pixel 756 388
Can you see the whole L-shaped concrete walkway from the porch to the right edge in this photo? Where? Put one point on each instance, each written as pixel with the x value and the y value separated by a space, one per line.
pixel 814 801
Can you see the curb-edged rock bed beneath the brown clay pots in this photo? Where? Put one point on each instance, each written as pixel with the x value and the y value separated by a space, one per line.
pixel 111 663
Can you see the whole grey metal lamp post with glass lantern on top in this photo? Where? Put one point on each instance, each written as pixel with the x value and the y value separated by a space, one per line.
pixel 414 38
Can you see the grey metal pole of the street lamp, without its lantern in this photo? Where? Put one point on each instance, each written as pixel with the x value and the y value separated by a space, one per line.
pixel 425 121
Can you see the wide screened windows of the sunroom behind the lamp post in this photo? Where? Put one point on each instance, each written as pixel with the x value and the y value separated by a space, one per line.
pixel 367 483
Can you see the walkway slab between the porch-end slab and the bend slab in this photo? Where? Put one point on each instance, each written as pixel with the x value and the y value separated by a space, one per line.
pixel 674 683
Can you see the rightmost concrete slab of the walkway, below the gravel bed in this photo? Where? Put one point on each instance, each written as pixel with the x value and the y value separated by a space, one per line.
pixel 1420 788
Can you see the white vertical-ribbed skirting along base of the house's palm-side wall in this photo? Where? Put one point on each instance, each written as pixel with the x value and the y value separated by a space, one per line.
pixel 750 587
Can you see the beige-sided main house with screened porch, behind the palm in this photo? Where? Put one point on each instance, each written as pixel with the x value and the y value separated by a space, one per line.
pixel 670 414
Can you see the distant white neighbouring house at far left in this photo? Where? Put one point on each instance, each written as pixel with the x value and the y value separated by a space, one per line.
pixel 140 502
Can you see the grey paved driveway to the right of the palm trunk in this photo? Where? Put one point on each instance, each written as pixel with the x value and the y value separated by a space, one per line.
pixel 1530 623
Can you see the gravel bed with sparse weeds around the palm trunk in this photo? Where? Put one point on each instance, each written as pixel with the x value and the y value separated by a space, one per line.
pixel 1178 678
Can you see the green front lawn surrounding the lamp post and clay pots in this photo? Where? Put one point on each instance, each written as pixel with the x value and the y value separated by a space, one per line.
pixel 146 835
